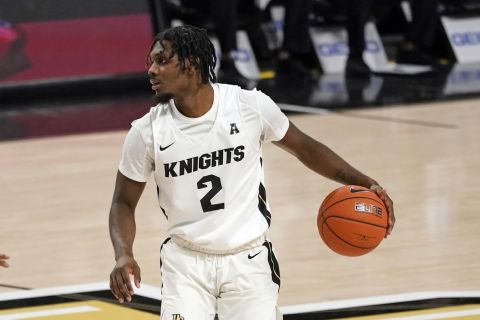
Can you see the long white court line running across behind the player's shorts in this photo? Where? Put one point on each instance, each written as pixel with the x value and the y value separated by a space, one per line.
pixel 153 292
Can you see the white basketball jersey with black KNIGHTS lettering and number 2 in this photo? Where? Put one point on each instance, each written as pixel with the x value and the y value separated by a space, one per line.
pixel 212 191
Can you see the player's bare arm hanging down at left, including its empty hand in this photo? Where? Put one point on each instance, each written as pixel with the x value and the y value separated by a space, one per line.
pixel 122 233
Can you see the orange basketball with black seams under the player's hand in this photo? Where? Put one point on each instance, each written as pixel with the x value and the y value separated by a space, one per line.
pixel 352 220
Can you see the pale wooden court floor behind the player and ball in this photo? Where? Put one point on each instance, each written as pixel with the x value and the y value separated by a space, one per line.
pixel 56 192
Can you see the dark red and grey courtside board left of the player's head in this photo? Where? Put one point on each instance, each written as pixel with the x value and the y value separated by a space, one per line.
pixel 53 40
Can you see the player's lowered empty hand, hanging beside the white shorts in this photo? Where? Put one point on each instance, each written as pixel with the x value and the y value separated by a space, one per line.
pixel 120 283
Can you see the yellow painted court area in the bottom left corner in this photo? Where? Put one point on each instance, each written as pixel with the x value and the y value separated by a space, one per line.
pixel 91 310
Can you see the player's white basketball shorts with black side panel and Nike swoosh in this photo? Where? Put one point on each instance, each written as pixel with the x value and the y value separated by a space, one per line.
pixel 239 286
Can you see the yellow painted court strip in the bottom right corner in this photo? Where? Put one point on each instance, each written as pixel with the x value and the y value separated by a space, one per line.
pixel 465 312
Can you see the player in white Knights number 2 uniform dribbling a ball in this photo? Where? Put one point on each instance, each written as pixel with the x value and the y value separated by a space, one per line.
pixel 202 142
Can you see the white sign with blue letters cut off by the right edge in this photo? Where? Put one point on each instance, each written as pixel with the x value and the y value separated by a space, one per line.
pixel 464 37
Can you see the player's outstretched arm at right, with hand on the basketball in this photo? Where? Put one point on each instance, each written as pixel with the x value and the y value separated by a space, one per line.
pixel 327 163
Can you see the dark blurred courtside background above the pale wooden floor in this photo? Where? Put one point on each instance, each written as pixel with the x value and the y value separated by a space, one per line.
pixel 328 54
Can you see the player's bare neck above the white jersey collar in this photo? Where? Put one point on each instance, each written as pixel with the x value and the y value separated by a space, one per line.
pixel 197 102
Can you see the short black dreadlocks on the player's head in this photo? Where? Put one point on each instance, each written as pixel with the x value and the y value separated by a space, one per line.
pixel 192 44
